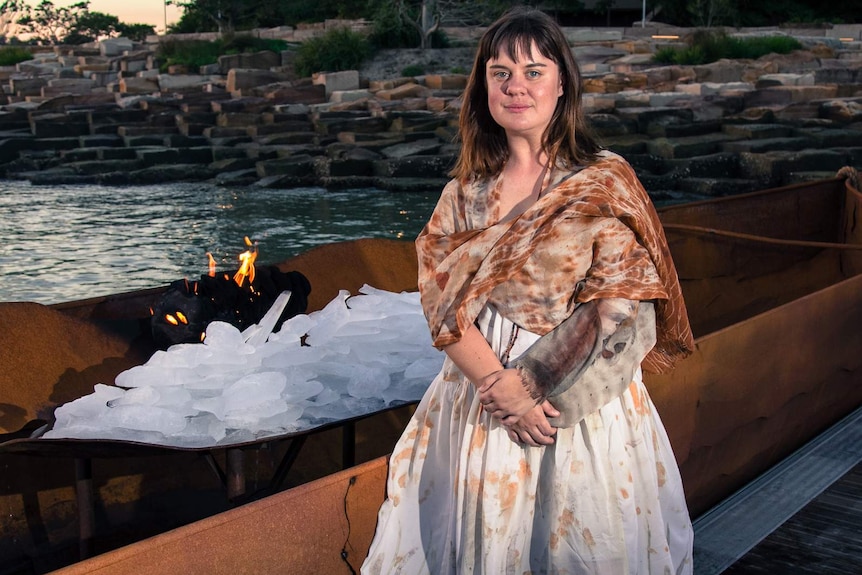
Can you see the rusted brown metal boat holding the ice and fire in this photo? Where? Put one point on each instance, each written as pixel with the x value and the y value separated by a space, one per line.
pixel 773 285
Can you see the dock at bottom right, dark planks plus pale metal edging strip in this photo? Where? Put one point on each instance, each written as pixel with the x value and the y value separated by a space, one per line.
pixel 804 517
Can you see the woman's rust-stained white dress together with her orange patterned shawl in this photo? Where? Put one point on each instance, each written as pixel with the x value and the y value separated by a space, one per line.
pixel 606 497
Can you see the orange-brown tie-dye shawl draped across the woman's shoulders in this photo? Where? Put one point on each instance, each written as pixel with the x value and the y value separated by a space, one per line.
pixel 459 269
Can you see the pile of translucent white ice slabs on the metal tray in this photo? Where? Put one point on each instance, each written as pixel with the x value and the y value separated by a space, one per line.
pixel 360 354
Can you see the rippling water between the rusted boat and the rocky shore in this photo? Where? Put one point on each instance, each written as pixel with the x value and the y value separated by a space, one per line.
pixel 65 243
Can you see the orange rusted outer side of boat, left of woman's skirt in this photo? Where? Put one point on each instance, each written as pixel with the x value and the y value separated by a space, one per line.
pixel 321 527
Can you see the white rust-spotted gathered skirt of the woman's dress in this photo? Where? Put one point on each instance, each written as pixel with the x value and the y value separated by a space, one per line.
pixel 606 498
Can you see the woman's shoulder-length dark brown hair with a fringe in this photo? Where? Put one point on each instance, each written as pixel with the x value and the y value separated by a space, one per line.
pixel 567 140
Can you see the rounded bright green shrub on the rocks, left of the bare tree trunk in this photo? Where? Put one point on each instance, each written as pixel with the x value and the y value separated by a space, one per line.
pixel 339 49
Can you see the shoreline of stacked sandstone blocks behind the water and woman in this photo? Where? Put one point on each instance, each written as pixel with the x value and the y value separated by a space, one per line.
pixel 105 115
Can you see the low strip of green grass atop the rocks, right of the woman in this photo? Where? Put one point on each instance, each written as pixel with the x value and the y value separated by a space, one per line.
pixel 705 47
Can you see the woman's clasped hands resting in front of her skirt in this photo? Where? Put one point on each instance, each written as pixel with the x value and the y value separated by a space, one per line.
pixel 504 396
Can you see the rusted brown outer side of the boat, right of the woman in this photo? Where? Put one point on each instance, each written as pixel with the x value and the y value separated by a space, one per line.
pixel 754 391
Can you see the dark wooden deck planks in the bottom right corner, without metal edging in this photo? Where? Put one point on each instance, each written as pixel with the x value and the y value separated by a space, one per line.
pixel 823 538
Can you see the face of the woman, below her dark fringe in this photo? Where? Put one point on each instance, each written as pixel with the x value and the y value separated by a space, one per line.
pixel 523 93
